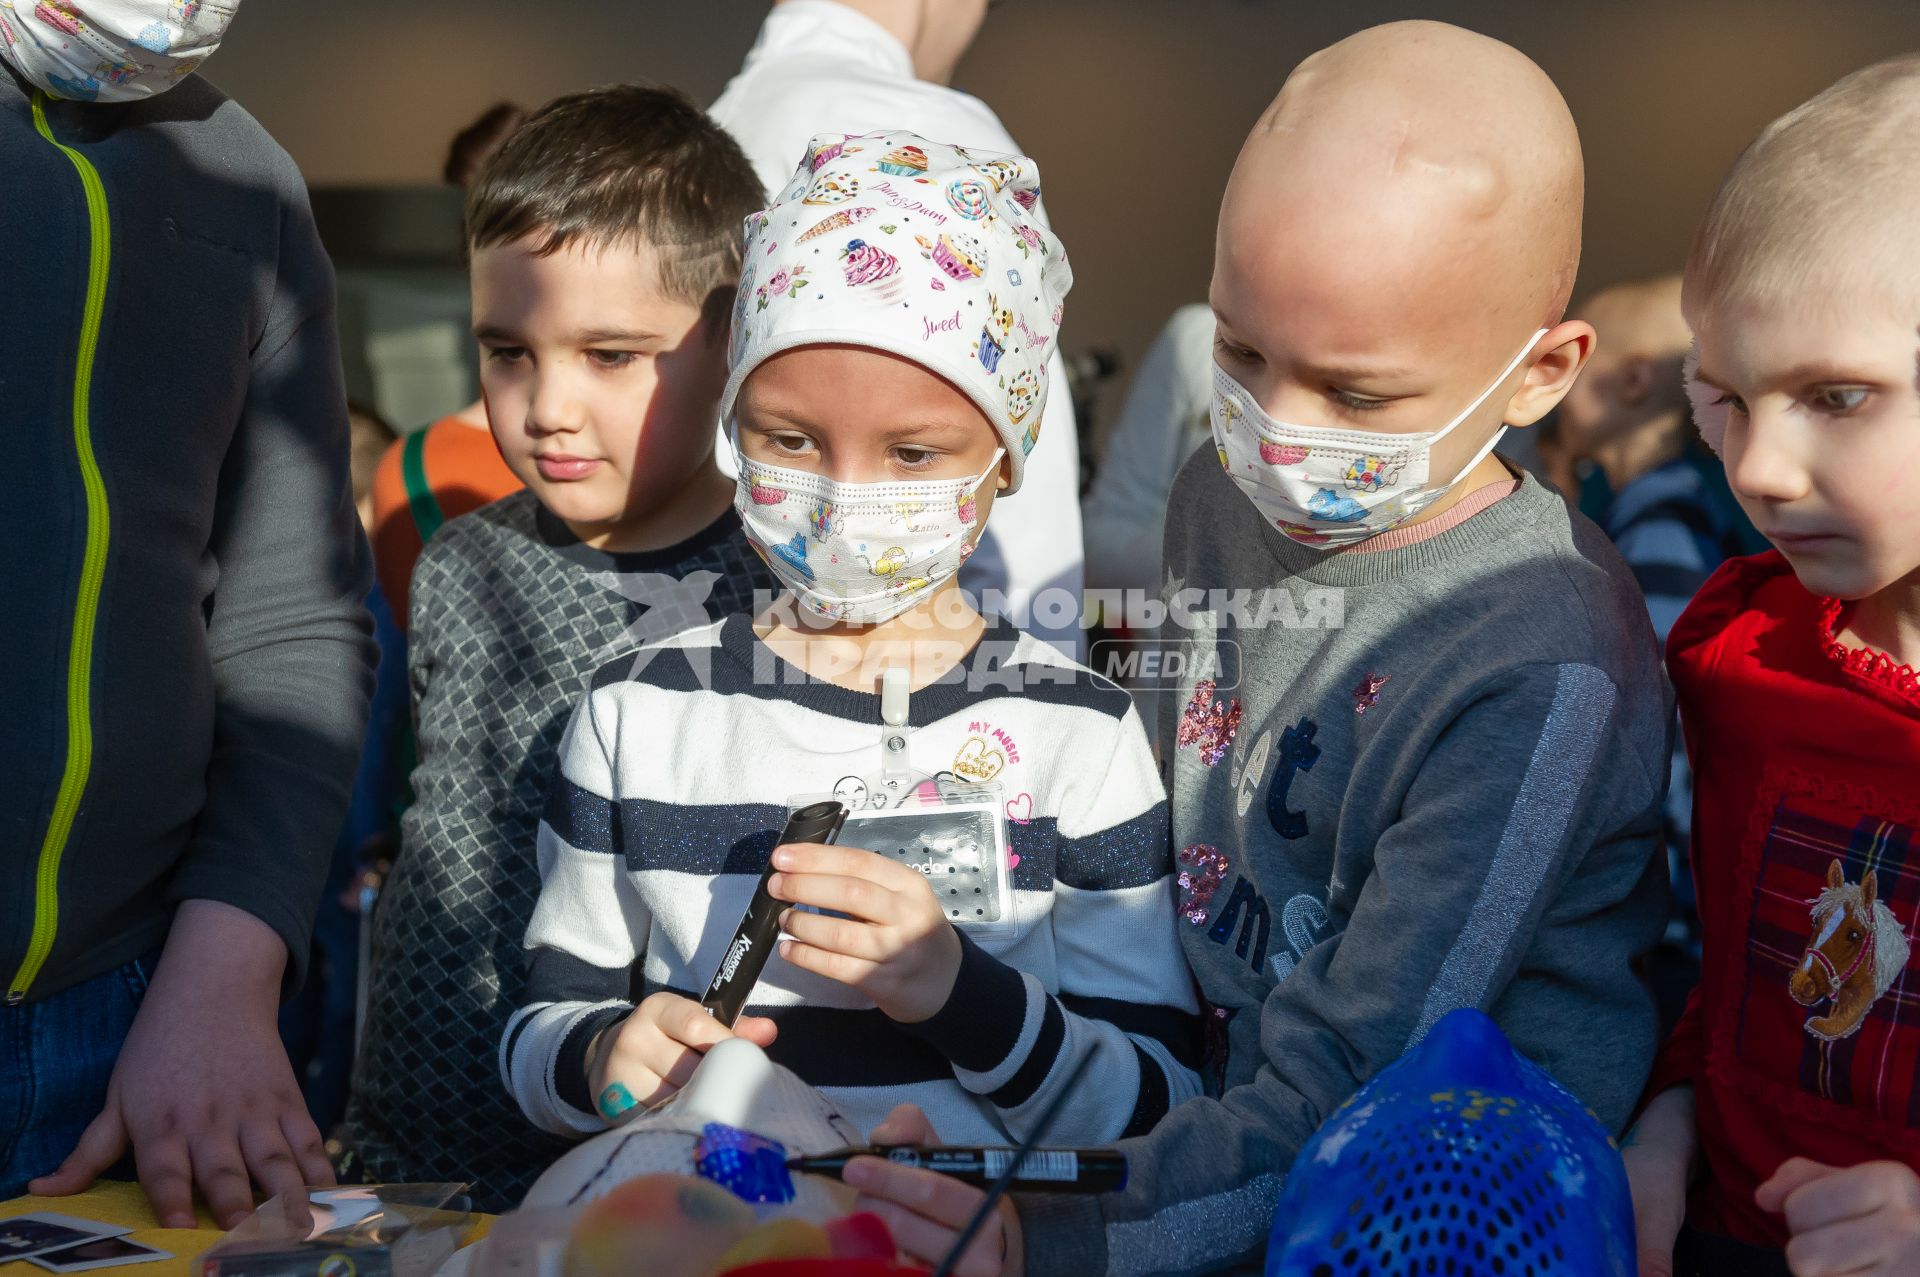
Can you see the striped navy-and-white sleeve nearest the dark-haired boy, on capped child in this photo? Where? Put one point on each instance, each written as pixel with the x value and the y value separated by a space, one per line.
pixel 583 936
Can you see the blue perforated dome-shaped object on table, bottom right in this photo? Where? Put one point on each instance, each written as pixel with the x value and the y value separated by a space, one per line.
pixel 1458 1161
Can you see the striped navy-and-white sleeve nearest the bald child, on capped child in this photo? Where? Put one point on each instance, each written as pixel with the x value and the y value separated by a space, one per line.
pixel 1126 994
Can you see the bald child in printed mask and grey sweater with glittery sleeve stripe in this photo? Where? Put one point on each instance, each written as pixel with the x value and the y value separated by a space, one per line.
pixel 1422 765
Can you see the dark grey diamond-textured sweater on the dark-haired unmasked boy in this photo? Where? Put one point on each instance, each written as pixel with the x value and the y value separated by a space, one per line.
pixel 512 615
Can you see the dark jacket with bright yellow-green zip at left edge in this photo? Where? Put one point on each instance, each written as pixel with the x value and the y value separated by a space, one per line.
pixel 189 660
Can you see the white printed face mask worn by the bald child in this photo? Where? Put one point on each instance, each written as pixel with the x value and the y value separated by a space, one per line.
pixel 1333 489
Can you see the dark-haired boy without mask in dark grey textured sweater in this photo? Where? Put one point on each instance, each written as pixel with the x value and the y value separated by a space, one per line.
pixel 606 251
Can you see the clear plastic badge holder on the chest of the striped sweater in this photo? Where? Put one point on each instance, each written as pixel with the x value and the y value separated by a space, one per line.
pixel 953 832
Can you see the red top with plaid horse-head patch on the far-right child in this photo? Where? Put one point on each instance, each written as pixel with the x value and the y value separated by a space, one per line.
pixel 1804 1036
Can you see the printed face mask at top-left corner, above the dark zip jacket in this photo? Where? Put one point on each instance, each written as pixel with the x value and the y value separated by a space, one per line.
pixel 110 51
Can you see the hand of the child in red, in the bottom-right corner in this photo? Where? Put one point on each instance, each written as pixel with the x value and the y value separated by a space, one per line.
pixel 1861 1220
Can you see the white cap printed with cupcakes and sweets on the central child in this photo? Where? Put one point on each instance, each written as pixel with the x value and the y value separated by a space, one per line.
pixel 923 251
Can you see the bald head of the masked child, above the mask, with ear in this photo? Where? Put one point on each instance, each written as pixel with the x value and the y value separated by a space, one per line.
pixel 1401 222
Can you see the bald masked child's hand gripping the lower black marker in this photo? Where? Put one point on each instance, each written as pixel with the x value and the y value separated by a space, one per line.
pixel 926 1211
